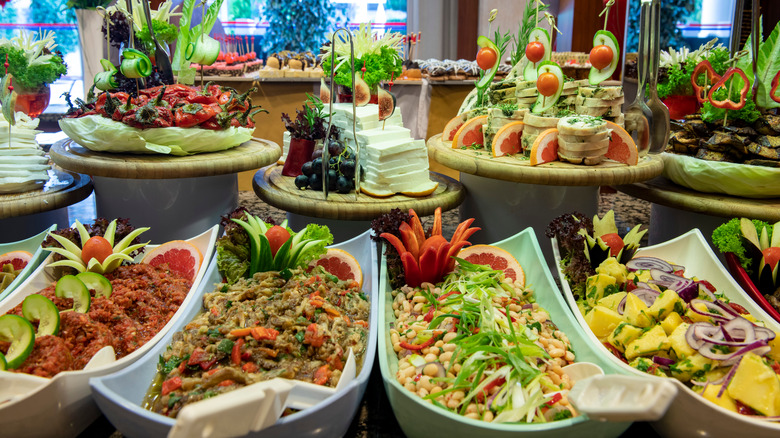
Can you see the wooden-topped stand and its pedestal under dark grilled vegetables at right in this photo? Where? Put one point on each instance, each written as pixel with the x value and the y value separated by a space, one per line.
pixel 676 209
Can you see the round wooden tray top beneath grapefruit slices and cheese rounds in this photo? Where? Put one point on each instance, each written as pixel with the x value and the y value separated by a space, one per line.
pixel 508 168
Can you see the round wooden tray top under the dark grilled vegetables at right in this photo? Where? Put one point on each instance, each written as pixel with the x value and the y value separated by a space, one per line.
pixel 664 192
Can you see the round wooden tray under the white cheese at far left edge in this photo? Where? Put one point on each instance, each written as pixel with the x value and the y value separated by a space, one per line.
pixel 72 188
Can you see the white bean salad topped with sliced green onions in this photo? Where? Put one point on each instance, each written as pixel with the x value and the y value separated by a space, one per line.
pixel 478 345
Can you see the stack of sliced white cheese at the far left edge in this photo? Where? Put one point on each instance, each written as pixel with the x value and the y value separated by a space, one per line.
pixel 23 165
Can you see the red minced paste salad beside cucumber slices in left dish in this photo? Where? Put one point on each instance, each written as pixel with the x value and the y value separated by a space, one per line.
pixel 143 300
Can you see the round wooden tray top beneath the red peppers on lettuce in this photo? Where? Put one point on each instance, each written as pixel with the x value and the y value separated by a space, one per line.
pixel 252 154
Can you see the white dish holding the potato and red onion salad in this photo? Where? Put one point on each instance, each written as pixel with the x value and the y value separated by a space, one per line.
pixel 690 414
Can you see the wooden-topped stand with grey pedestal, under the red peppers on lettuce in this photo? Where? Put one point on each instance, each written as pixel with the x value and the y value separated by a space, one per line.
pixel 177 197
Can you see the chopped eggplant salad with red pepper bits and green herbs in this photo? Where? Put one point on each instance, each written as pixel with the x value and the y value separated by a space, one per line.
pixel 260 328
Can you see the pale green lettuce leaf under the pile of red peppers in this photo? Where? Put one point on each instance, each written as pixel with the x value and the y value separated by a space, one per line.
pixel 98 133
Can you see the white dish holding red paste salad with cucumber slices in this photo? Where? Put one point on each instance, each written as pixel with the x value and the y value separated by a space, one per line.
pixel 63 406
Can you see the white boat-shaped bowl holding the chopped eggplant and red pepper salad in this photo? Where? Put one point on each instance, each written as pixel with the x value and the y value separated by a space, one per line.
pixel 120 395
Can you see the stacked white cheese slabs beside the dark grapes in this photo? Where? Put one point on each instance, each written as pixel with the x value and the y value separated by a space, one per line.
pixel 393 163
